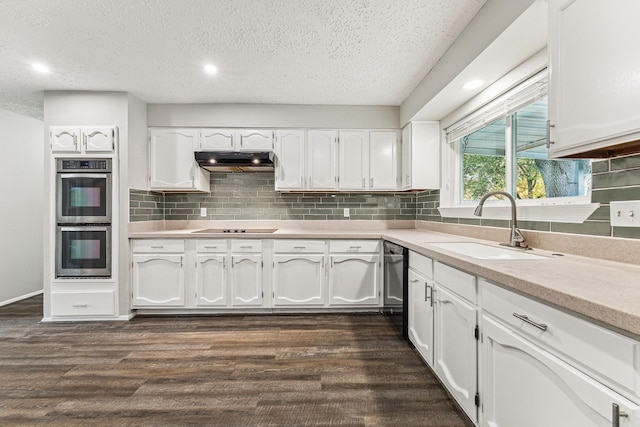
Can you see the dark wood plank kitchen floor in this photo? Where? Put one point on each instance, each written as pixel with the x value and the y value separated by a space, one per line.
pixel 311 370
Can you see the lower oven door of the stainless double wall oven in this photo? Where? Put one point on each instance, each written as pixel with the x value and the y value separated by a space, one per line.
pixel 83 251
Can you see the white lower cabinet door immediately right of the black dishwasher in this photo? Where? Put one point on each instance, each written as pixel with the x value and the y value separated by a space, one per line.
pixel 421 315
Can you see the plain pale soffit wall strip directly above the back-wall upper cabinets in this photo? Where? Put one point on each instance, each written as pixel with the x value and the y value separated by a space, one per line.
pixel 274 116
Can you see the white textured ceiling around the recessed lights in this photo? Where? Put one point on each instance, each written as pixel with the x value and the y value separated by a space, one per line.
pixel 342 52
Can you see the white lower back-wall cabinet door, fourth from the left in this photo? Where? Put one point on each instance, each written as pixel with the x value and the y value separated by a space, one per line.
pixel 298 280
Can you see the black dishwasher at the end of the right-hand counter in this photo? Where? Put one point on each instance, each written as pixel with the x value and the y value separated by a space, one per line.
pixel 395 285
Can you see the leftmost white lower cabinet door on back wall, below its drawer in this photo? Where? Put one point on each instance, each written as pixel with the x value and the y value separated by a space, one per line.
pixel 158 281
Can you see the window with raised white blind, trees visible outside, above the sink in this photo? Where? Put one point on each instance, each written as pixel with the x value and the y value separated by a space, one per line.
pixel 503 147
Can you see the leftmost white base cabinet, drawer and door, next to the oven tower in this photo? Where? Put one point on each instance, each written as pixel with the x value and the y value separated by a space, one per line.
pixel 158 273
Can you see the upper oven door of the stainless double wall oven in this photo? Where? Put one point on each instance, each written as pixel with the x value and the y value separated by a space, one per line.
pixel 83 198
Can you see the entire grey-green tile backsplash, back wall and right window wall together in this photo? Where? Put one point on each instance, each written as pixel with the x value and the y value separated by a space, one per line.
pixel 251 196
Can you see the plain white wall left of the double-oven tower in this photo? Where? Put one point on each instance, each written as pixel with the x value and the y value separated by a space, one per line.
pixel 21 206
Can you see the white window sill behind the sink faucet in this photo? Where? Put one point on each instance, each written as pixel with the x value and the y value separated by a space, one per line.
pixel 567 213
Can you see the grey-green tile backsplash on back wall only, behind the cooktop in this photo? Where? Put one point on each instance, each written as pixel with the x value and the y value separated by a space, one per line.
pixel 251 196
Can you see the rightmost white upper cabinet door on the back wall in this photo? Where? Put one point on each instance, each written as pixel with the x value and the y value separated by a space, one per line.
pixel 384 160
